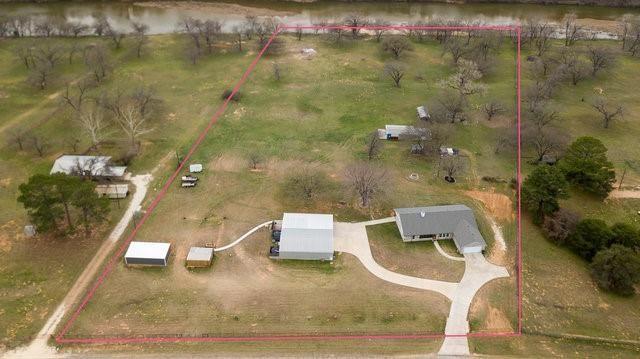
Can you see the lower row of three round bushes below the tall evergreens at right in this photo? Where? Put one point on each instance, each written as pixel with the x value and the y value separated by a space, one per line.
pixel 613 251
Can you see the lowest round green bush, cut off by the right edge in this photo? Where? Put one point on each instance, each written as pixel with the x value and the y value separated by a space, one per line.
pixel 616 269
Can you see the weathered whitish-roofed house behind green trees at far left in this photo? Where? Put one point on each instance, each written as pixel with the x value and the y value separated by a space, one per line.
pixel 95 167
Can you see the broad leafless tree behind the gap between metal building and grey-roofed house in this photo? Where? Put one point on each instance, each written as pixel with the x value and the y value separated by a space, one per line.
pixel 367 181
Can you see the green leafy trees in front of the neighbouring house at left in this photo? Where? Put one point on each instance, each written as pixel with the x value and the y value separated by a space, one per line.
pixel 60 203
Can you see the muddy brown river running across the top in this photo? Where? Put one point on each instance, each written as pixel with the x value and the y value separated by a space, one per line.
pixel 162 17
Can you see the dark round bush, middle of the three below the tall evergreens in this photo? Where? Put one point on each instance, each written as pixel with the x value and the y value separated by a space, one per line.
pixel 589 237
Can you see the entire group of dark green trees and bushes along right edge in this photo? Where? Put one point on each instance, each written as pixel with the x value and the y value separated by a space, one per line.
pixel 613 251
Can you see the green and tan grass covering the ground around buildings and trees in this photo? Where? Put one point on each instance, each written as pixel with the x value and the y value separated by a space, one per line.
pixel 317 115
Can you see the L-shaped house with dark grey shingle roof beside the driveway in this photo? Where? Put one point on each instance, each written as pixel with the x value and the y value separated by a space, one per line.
pixel 455 222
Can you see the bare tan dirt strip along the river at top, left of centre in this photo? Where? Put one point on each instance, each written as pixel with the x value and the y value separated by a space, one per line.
pixel 214 8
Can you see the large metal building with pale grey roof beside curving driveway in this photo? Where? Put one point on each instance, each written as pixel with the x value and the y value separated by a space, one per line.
pixel 305 236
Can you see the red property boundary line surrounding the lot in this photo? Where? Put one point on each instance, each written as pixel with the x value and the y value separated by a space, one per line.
pixel 60 337
